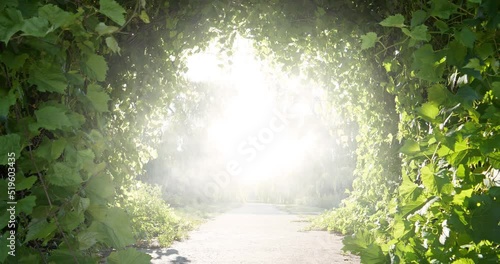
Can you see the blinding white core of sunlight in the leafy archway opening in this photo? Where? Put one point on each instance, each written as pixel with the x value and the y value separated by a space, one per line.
pixel 257 130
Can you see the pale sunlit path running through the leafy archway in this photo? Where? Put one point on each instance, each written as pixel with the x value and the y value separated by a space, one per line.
pixel 255 233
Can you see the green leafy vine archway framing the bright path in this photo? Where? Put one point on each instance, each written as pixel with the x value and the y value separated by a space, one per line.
pixel 80 104
